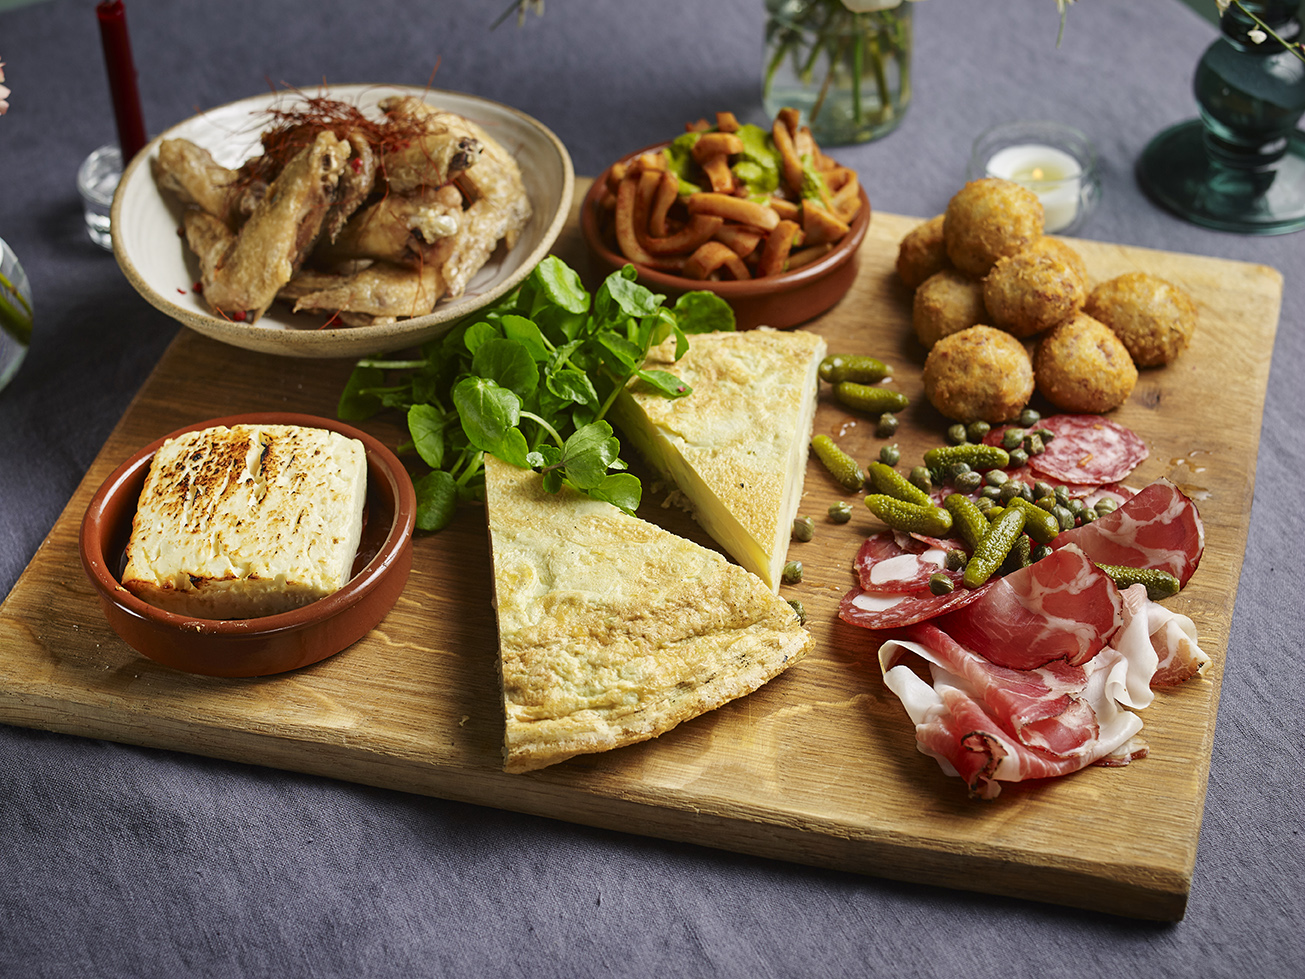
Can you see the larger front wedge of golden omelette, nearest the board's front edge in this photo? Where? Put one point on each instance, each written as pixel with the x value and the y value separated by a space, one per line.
pixel 613 631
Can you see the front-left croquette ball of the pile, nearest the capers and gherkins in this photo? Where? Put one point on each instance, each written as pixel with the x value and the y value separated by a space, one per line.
pixel 979 375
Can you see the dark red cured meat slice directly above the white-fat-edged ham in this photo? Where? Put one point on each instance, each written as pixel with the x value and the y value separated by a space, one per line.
pixel 1062 608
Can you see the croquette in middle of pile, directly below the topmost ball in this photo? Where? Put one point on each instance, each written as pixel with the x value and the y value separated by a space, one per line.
pixel 1033 290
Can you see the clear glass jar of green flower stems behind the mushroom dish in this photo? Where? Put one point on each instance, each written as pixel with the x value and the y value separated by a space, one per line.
pixel 849 74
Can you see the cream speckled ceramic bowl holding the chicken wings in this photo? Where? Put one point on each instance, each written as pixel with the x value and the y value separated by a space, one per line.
pixel 162 270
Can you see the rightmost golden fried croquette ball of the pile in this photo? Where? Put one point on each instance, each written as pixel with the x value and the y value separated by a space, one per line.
pixel 1153 318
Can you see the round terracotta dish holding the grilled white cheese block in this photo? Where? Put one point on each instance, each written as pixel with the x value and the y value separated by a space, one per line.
pixel 271 644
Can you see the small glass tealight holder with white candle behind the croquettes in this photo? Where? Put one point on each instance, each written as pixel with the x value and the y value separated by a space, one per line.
pixel 1052 160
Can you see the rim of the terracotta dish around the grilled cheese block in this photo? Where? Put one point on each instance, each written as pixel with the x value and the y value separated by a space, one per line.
pixel 96 537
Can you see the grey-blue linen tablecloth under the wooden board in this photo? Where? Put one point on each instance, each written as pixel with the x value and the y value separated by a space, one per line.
pixel 121 861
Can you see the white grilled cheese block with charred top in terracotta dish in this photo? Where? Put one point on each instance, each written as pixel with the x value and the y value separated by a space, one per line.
pixel 247 521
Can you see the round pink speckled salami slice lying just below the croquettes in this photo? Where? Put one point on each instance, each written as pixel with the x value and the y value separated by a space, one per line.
pixel 1088 450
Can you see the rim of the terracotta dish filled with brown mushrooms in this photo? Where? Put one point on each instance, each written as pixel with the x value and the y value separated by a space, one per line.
pixel 730 289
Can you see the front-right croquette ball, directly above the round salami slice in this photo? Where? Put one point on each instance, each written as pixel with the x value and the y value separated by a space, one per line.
pixel 1082 366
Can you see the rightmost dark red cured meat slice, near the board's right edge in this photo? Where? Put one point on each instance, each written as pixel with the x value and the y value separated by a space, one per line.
pixel 1158 529
